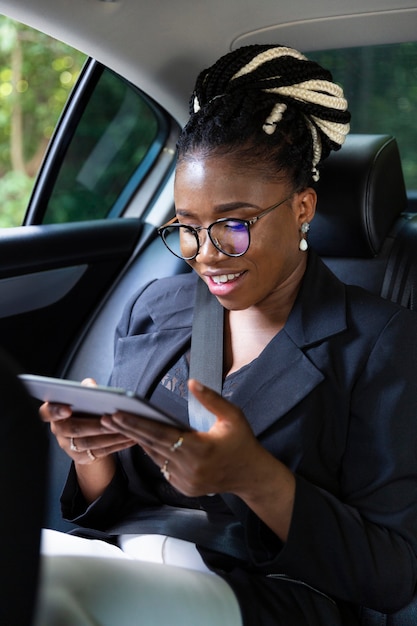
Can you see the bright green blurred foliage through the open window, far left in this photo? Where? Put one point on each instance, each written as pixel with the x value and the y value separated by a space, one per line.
pixel 36 77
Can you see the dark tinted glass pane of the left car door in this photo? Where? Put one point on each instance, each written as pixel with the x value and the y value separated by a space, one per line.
pixel 115 142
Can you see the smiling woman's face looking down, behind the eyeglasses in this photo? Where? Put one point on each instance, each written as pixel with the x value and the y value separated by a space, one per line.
pixel 210 188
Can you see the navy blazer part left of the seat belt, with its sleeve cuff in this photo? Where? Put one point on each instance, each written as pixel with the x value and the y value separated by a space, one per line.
pixel 155 322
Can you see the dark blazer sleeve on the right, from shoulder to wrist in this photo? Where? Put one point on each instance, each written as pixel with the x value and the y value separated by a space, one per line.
pixel 360 545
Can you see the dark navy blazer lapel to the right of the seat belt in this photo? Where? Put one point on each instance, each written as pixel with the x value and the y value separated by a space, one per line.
pixel 283 373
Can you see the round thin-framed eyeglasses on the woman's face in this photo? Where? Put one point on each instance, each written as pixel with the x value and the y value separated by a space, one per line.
pixel 229 236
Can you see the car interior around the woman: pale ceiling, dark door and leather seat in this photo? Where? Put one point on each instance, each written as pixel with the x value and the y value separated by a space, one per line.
pixel 89 237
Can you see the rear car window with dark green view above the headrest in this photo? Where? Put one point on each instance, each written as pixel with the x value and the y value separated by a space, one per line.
pixel 380 83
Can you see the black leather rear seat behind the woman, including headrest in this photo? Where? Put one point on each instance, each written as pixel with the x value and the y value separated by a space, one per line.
pixel 362 232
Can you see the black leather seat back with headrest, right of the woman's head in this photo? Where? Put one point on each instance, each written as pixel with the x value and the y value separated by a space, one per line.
pixel 360 229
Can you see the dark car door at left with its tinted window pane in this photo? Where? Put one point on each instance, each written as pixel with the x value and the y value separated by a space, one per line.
pixel 91 211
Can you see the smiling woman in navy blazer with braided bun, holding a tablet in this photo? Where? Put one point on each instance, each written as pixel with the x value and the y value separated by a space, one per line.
pixel 309 456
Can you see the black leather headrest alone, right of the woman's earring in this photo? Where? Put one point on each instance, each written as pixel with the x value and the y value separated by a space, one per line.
pixel 360 193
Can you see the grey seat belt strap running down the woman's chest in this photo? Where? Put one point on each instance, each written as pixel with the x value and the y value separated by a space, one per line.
pixel 206 358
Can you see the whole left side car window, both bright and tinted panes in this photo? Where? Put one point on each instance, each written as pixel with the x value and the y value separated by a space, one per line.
pixel 85 135
